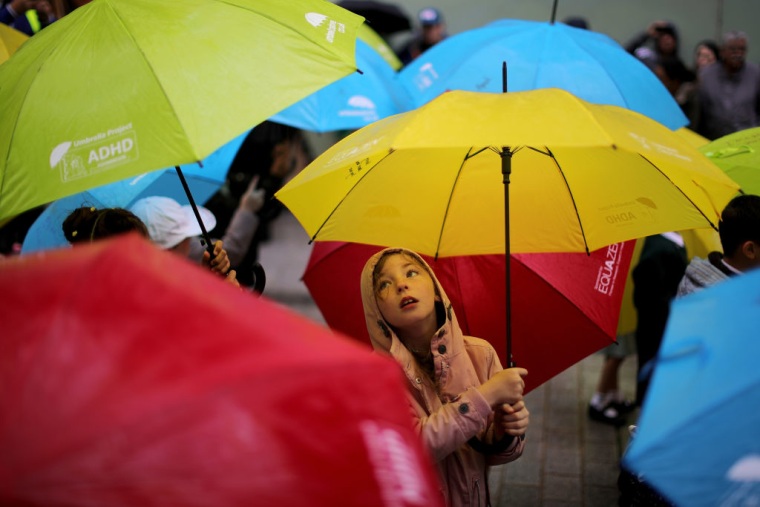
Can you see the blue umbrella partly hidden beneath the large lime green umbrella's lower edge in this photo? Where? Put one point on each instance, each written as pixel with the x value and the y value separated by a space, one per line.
pixel 46 233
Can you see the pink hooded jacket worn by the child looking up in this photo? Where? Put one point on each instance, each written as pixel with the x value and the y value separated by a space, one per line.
pixel 450 411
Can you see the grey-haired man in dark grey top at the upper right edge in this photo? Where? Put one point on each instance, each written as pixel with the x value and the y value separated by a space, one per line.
pixel 728 96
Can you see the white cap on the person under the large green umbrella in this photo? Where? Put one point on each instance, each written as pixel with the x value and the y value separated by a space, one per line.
pixel 168 222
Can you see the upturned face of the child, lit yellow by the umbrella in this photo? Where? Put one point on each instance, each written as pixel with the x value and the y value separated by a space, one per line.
pixel 405 292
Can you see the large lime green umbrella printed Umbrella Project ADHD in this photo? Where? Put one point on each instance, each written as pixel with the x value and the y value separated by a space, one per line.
pixel 121 87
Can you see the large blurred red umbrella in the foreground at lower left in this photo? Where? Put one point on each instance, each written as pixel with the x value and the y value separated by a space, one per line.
pixel 132 377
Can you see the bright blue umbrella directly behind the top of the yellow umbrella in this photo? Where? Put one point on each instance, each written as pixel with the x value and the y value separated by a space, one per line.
pixel 588 64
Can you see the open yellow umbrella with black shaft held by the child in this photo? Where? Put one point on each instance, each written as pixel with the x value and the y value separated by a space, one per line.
pixel 585 176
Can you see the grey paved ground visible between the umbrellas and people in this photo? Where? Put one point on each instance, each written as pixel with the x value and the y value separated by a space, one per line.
pixel 569 460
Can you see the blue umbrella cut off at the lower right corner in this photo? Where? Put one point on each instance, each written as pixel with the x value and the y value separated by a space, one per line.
pixel 697 440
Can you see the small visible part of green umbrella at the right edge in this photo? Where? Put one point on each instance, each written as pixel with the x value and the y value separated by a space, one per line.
pixel 738 154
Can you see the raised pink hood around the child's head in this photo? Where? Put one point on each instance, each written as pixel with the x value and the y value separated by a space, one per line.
pixel 381 335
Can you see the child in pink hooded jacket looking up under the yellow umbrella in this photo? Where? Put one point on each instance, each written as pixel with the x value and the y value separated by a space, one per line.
pixel 458 390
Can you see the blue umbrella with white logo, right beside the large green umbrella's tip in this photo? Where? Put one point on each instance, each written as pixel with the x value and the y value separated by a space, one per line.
pixel 353 101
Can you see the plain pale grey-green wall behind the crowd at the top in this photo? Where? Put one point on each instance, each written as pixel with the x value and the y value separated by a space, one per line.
pixel 620 19
